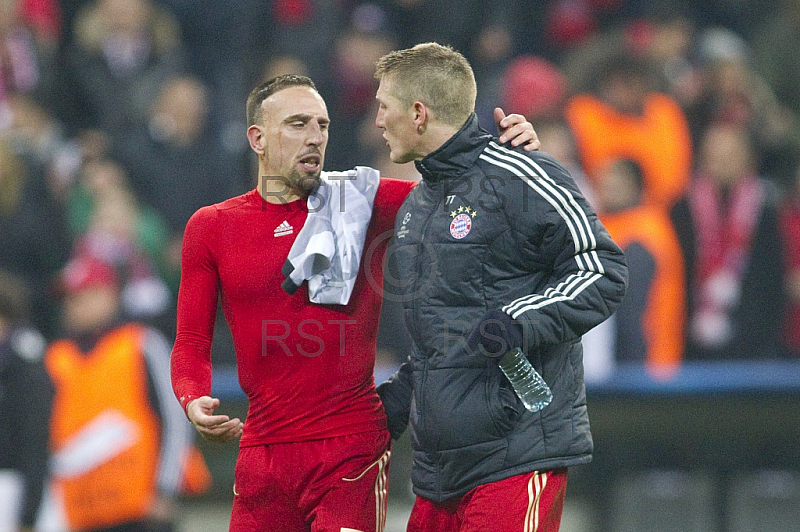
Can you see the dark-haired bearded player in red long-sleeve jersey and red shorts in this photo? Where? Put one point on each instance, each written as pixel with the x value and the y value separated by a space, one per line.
pixel 315 452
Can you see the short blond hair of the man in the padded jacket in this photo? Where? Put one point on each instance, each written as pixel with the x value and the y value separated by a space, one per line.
pixel 435 75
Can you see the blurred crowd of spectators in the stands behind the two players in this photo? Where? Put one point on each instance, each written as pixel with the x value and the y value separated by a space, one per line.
pixel 119 118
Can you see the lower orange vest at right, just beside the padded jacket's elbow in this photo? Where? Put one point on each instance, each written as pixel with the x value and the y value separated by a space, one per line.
pixel 665 316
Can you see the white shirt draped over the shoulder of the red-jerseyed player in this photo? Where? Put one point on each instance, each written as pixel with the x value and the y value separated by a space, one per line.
pixel 327 250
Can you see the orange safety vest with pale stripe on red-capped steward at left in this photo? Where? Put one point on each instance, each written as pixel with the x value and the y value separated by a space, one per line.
pixel 105 428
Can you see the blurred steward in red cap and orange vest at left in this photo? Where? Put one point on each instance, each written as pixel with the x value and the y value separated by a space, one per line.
pixel 122 450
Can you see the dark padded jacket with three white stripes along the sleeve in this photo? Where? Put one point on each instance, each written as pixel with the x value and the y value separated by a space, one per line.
pixel 490 227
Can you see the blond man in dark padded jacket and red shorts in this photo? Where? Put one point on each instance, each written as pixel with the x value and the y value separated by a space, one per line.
pixel 495 249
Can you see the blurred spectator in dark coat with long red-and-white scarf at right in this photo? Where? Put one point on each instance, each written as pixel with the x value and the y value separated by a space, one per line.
pixel 728 228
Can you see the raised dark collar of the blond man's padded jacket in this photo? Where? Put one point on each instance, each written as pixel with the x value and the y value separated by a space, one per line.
pixel 457 155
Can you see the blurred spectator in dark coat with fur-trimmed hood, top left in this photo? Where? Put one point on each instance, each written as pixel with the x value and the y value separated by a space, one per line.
pixel 122 53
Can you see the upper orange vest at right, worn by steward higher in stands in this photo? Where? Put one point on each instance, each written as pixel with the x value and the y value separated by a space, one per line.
pixel 659 141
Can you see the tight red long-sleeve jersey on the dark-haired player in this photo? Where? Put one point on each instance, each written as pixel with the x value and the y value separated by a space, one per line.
pixel 307 369
